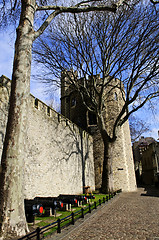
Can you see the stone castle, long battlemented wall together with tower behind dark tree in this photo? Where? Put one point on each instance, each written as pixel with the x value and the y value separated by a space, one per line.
pixel 64 151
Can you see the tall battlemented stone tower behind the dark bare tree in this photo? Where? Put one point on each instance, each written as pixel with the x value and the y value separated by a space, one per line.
pixel 120 150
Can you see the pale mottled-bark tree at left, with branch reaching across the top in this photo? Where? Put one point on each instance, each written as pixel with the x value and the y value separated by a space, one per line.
pixel 29 15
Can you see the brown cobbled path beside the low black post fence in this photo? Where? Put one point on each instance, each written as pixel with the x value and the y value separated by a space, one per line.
pixel 132 215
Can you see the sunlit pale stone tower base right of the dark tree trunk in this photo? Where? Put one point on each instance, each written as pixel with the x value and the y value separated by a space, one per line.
pixel 122 161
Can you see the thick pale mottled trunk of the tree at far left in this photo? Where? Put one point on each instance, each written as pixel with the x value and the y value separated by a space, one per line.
pixel 12 215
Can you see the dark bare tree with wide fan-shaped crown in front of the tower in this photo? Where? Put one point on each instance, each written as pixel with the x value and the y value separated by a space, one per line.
pixel 123 46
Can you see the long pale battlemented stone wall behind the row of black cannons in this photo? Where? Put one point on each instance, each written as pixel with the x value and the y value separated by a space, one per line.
pixel 59 154
